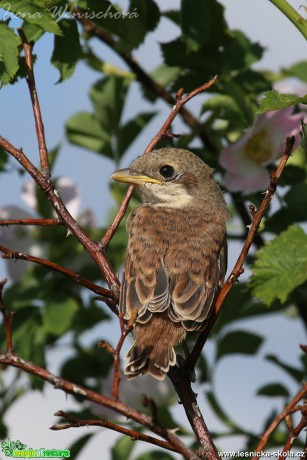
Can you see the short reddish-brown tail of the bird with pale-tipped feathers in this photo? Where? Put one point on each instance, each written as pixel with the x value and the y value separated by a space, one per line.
pixel 153 349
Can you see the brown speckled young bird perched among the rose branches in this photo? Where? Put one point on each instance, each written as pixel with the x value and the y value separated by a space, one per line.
pixel 176 257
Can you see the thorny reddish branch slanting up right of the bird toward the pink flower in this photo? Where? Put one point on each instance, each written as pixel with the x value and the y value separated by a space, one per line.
pixel 238 268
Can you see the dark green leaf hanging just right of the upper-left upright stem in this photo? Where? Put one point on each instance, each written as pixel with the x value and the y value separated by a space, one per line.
pixel 67 49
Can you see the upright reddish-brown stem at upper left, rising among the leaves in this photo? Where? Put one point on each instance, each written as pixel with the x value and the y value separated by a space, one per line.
pixel 40 132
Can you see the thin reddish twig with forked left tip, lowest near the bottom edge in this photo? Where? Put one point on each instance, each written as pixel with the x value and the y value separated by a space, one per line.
pixel 74 422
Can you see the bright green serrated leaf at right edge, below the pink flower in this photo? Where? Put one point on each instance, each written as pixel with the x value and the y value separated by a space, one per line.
pixel 280 266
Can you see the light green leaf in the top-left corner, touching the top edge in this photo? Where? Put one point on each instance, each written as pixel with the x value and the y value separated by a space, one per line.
pixel 32 13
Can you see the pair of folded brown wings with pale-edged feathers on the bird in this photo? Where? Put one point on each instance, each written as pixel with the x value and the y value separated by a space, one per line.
pixel 182 280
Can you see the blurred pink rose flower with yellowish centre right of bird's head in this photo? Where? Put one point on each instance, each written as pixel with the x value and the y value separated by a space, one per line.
pixel 245 161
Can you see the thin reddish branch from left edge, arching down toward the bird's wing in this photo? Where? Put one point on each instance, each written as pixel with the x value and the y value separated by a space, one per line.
pixel 104 293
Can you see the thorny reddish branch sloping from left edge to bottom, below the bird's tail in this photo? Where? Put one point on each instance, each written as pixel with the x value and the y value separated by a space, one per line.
pixel 119 407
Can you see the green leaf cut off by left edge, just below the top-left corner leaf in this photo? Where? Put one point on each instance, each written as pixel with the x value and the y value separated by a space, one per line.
pixel 9 52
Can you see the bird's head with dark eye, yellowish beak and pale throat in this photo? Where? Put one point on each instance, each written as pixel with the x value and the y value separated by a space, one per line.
pixel 170 176
